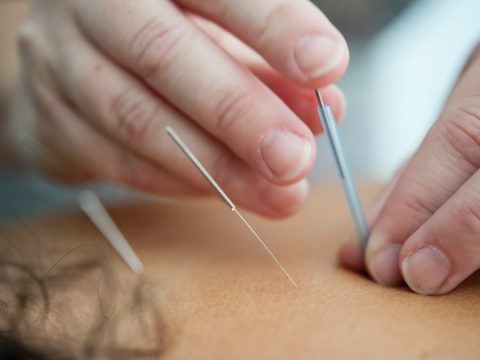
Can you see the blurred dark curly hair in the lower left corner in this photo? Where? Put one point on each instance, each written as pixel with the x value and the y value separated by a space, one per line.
pixel 36 296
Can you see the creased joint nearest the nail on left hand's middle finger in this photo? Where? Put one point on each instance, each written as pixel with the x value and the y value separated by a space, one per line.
pixel 232 107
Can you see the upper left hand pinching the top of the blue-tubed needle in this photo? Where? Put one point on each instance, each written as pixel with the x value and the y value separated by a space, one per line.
pixel 102 79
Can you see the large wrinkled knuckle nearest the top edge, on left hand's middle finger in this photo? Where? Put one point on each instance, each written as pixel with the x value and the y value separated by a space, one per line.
pixel 154 46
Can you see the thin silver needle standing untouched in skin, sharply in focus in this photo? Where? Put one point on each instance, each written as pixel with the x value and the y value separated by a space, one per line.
pixel 222 194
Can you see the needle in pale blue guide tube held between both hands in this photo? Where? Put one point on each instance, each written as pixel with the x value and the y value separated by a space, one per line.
pixel 346 178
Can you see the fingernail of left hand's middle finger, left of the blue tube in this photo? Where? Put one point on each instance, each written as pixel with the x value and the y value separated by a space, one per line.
pixel 285 154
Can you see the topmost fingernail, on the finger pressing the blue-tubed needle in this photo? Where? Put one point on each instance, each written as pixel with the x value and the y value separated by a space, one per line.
pixel 317 55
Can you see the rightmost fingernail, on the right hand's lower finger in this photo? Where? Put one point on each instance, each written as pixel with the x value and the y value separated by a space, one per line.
pixel 426 270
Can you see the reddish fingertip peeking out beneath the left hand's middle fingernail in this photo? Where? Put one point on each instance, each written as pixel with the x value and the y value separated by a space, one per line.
pixel 286 199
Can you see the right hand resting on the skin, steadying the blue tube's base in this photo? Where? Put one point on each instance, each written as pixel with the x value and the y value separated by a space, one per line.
pixel 426 225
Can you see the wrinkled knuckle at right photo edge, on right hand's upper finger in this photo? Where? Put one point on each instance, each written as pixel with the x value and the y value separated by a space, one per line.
pixel 462 132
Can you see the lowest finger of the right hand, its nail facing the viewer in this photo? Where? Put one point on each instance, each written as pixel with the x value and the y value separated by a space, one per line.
pixel 446 249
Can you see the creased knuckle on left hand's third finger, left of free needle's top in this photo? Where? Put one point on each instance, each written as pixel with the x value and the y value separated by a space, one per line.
pixel 133 115
